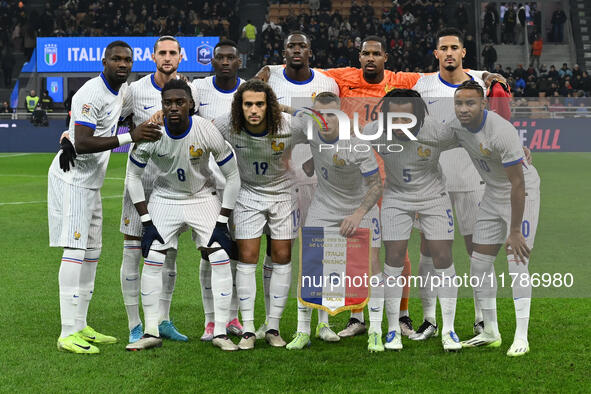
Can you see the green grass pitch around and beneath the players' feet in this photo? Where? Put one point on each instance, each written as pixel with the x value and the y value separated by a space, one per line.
pixel 29 310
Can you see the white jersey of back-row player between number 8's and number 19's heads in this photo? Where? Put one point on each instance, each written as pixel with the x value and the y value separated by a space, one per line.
pixel 214 101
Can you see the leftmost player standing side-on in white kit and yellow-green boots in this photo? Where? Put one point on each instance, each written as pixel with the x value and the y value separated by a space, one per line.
pixel 74 201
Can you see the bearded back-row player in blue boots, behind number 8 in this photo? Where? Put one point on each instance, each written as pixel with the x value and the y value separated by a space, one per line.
pixel 143 100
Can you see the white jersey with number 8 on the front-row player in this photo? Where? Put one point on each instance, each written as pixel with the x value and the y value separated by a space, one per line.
pixel 182 161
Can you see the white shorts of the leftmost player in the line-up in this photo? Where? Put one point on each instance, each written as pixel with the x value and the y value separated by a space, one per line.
pixel 75 215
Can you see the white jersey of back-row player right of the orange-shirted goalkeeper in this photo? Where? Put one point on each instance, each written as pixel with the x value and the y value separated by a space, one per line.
pixel 458 172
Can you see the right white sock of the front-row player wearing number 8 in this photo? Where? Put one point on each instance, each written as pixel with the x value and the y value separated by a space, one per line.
pixel 221 287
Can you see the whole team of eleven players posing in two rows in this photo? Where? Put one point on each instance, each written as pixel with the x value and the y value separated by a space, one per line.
pixel 232 160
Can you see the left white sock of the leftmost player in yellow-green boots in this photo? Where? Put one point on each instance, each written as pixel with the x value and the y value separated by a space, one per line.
pixel 69 282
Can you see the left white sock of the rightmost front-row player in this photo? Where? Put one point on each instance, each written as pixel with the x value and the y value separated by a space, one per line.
pixel 482 267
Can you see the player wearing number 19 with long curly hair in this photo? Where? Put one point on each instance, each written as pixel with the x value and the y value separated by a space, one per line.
pixel 261 137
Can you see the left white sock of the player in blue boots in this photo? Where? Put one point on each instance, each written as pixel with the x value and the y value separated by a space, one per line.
pixel 130 284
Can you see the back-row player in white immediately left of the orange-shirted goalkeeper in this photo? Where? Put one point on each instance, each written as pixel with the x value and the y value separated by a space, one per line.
pixel 297 80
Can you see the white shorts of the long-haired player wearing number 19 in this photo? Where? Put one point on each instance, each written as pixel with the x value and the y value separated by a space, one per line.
pixel 277 218
